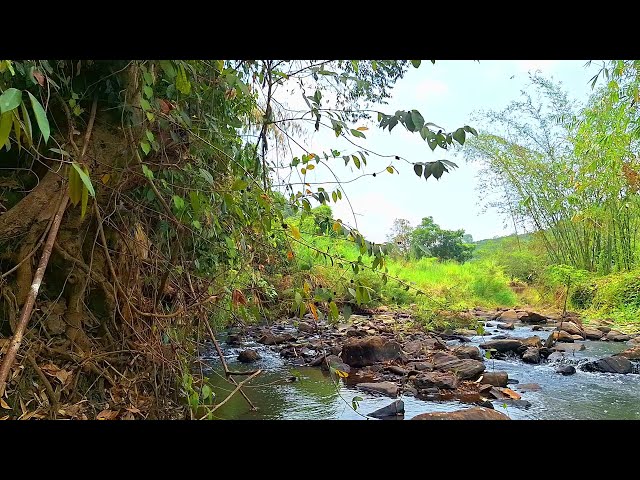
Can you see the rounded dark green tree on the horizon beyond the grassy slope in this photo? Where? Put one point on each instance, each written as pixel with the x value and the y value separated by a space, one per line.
pixel 428 239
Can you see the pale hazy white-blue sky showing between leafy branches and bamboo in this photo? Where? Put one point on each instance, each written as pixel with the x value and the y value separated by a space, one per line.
pixel 446 93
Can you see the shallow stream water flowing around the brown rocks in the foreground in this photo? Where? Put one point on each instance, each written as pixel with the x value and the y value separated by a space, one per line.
pixel 314 395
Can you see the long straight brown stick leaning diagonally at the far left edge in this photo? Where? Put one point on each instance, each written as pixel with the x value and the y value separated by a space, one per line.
pixel 25 315
